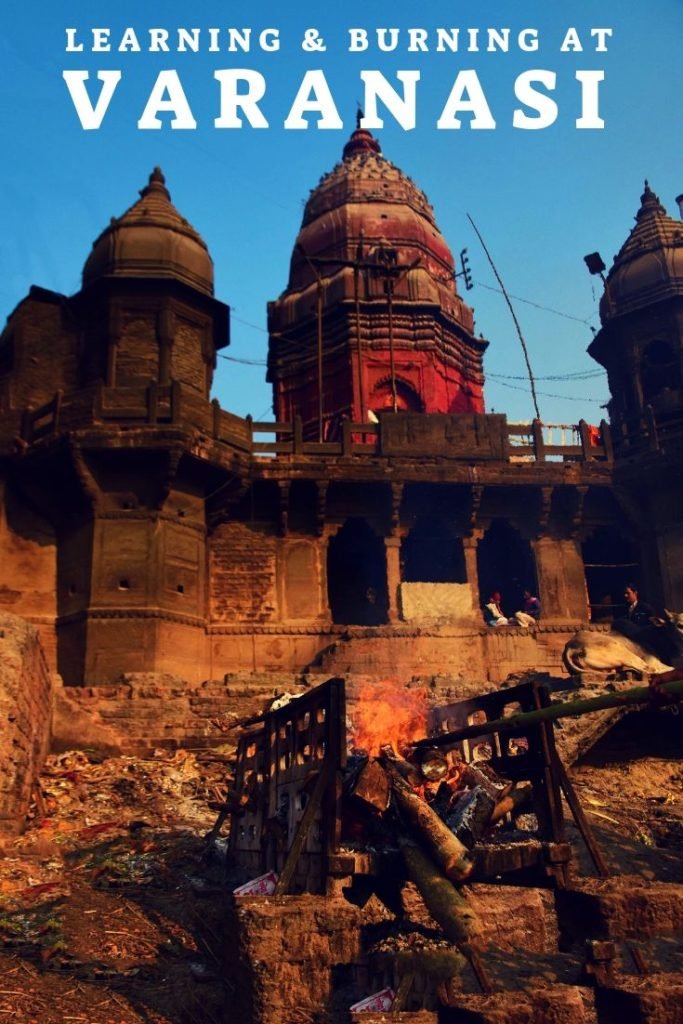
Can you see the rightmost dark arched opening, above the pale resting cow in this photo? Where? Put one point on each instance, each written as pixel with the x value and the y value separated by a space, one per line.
pixel 611 562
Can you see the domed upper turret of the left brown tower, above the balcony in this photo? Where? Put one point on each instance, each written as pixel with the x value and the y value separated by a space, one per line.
pixel 152 273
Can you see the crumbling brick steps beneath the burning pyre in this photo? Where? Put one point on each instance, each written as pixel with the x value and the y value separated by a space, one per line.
pixel 565 958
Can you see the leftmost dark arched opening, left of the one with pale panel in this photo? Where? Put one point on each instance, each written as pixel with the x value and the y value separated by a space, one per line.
pixel 357 576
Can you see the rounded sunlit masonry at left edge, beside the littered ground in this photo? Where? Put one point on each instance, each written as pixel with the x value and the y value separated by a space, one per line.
pixel 26 699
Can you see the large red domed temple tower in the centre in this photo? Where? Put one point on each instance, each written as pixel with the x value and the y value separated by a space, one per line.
pixel 371 319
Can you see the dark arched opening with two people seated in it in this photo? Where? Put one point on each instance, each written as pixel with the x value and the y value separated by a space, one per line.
pixel 505 564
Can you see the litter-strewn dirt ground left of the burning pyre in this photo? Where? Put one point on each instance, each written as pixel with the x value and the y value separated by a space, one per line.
pixel 100 921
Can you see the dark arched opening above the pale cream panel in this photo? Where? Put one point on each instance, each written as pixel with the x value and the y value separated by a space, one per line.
pixel 432 554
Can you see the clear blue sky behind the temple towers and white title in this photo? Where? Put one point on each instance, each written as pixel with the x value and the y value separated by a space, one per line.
pixel 541 199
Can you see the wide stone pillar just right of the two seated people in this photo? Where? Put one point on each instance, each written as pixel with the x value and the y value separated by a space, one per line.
pixel 562 579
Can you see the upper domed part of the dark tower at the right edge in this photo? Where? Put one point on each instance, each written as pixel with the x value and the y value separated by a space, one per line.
pixel 642 342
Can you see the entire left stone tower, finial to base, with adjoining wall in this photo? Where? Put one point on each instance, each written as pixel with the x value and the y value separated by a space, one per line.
pixel 112 388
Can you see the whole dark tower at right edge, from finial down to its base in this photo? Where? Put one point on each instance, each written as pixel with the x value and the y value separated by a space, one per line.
pixel 641 346
